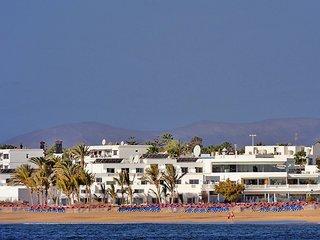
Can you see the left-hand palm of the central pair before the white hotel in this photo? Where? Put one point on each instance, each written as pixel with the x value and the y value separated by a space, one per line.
pixel 153 176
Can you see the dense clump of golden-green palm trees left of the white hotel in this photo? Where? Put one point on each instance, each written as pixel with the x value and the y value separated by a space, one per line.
pixel 55 174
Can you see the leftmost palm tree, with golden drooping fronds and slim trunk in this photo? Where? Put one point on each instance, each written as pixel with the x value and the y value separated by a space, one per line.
pixel 23 175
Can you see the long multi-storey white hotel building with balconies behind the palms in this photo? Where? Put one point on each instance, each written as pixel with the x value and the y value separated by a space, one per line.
pixel 268 172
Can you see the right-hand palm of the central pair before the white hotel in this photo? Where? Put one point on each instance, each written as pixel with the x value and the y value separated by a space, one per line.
pixel 171 177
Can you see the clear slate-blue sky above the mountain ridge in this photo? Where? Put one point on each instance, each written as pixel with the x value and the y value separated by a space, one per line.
pixel 153 65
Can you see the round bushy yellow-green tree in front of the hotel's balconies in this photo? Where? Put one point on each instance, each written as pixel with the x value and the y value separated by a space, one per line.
pixel 231 191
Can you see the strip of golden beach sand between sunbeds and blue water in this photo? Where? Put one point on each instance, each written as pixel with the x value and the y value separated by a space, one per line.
pixel 101 216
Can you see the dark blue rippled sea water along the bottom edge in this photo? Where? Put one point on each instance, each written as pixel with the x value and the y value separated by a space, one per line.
pixel 161 231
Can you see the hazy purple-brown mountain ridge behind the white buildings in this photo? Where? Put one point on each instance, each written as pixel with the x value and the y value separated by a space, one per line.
pixel 295 130
